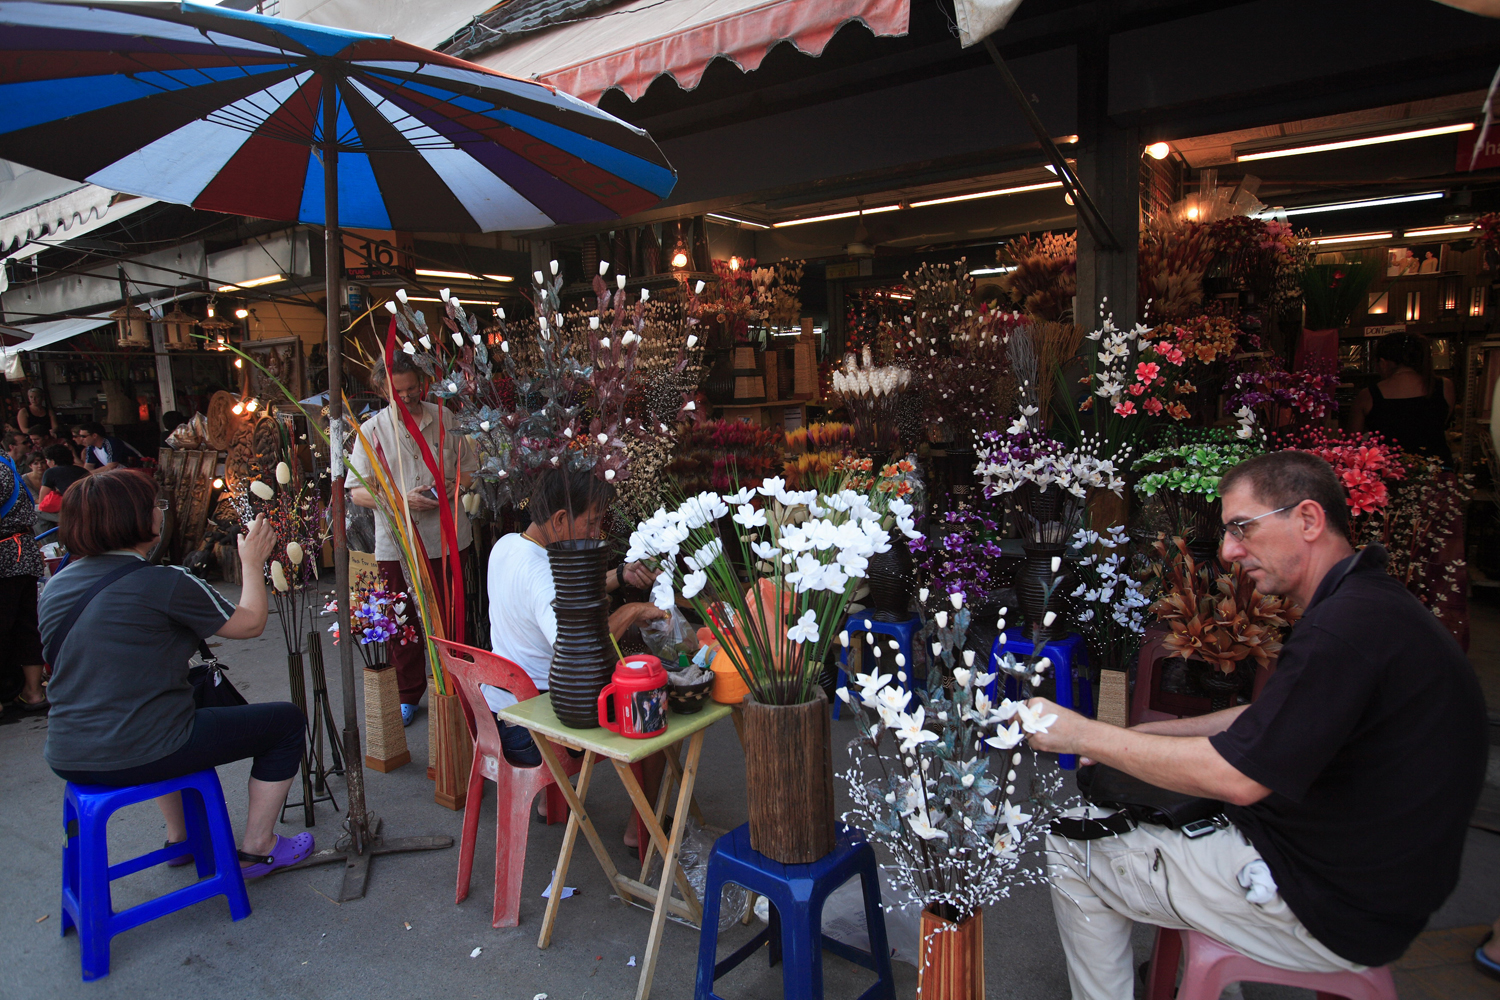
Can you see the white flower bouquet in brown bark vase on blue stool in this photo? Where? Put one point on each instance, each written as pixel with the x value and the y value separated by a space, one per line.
pixel 808 552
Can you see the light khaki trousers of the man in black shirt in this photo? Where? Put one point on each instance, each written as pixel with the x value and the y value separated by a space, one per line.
pixel 1159 876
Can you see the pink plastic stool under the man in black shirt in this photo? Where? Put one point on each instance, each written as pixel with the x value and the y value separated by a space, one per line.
pixel 1213 966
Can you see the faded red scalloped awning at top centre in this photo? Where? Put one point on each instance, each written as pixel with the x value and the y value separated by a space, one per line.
pixel 631 46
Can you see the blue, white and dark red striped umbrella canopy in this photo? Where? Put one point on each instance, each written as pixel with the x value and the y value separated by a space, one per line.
pixel 226 110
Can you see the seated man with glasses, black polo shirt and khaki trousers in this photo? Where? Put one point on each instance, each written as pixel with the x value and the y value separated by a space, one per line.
pixel 1349 782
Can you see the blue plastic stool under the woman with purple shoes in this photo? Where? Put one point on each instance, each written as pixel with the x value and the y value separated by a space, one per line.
pixel 88 872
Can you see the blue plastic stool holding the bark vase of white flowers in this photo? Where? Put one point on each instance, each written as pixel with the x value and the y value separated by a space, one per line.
pixel 797 896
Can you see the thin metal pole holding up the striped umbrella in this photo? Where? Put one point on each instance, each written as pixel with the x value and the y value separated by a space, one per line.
pixel 332 269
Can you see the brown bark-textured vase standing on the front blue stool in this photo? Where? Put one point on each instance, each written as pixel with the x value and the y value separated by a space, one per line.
pixel 790 780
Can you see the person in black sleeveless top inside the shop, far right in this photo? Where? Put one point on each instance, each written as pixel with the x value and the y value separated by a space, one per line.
pixel 1408 406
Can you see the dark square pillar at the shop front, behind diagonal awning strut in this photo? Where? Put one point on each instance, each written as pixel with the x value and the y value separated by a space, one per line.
pixel 1109 167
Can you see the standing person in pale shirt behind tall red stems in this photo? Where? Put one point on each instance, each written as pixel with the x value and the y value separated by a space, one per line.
pixel 410 473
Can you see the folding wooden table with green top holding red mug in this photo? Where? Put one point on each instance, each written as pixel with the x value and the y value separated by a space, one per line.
pixel 538 716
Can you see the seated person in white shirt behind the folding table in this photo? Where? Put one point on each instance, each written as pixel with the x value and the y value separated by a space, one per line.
pixel 523 624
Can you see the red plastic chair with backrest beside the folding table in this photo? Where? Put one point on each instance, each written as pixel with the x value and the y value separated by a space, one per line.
pixel 517 788
